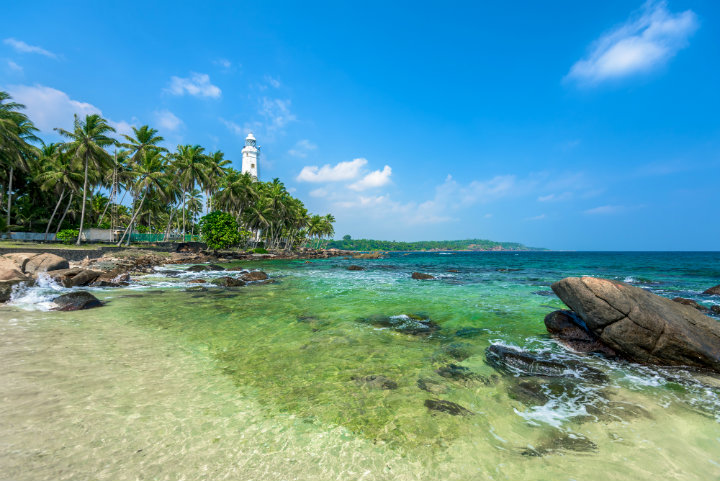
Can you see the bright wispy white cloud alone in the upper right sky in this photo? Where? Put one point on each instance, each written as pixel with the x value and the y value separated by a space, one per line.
pixel 641 44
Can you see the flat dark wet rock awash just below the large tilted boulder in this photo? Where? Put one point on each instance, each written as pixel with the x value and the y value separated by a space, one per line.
pixel 523 363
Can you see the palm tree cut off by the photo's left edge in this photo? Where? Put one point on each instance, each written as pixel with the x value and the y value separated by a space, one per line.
pixel 16 133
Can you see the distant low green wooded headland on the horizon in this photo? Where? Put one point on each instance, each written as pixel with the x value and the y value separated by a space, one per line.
pixel 347 243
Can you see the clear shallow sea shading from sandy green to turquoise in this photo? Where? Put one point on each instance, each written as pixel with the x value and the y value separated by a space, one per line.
pixel 323 375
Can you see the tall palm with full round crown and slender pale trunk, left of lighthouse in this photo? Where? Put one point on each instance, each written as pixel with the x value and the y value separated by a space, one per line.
pixel 87 142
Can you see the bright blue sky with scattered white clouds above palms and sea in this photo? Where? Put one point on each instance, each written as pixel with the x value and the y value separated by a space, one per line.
pixel 559 124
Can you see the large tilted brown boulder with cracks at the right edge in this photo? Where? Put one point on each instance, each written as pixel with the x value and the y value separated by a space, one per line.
pixel 640 325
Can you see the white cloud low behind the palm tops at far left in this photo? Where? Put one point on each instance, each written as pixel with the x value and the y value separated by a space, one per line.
pixel 50 108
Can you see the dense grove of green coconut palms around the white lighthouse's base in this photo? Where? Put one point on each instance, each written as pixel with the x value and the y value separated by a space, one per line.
pixel 133 184
